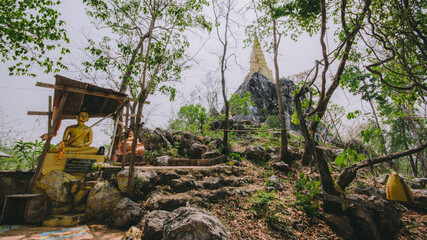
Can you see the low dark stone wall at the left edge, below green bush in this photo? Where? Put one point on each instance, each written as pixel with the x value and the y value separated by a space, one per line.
pixel 12 182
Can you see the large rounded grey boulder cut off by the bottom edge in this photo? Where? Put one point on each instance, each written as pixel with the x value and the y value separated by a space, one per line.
pixel 188 223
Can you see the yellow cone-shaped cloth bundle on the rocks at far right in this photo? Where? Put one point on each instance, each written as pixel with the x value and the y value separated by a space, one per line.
pixel 397 189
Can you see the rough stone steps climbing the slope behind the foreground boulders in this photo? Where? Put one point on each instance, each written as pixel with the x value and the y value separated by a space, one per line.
pixel 196 186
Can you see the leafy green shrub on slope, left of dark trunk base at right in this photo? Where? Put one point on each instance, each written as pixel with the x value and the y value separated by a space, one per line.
pixel 307 191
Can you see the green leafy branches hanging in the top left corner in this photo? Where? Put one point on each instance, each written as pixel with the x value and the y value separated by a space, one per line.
pixel 29 30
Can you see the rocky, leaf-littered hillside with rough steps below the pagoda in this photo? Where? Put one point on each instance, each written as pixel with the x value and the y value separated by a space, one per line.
pixel 257 197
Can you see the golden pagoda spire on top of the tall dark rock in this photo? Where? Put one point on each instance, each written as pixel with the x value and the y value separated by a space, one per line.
pixel 258 63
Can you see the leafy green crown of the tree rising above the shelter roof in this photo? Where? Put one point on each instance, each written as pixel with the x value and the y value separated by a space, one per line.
pixel 146 42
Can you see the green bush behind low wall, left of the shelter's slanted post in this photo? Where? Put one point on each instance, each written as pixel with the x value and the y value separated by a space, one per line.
pixel 27 153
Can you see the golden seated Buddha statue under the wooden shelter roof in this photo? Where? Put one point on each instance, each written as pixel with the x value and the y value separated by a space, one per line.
pixel 77 138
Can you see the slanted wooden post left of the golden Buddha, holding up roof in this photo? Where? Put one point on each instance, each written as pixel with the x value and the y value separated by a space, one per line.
pixel 47 143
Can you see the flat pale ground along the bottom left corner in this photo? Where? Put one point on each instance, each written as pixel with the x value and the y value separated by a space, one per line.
pixel 29 232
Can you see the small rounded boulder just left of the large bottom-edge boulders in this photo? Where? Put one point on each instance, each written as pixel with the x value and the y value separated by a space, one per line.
pixel 125 214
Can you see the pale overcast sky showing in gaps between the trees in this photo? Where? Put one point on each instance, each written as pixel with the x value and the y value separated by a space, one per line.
pixel 19 94
